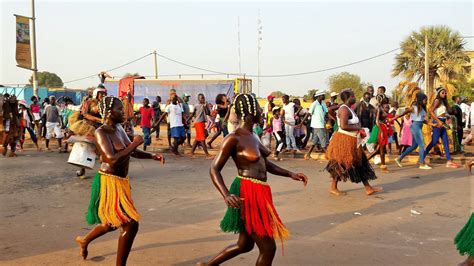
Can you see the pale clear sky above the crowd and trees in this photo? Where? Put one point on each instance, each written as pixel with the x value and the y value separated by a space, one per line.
pixel 79 38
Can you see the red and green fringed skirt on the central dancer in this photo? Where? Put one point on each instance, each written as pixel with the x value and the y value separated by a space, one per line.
pixel 257 215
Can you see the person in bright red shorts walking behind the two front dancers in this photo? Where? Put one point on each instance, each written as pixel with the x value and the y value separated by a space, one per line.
pixel 200 114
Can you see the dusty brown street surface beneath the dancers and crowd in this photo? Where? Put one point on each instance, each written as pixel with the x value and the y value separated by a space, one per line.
pixel 43 206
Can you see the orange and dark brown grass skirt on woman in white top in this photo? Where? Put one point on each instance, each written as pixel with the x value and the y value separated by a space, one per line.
pixel 347 161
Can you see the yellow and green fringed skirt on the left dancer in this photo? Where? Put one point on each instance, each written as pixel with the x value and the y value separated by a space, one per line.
pixel 111 201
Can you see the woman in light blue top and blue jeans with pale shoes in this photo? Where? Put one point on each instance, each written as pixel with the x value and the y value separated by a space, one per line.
pixel 417 115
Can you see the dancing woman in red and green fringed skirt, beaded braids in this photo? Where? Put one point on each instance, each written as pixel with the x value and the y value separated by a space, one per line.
pixel 250 207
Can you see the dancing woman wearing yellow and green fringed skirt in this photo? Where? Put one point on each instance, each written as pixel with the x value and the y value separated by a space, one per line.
pixel 111 205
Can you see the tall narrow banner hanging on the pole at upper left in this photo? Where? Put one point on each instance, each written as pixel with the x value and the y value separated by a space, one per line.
pixel 23 48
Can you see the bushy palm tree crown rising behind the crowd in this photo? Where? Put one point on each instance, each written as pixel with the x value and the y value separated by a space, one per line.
pixel 447 58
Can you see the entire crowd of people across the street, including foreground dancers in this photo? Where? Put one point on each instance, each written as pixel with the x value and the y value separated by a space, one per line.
pixel 350 133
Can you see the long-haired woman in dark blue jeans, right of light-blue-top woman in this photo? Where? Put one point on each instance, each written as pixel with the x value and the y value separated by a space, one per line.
pixel 438 112
